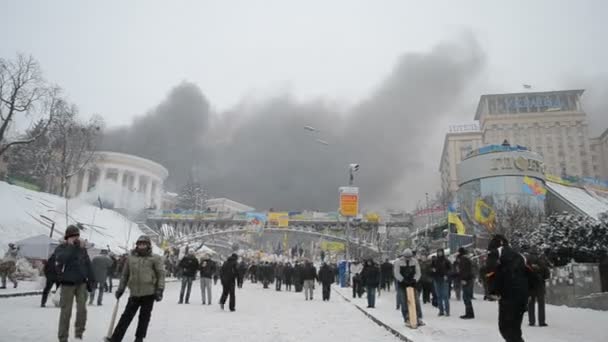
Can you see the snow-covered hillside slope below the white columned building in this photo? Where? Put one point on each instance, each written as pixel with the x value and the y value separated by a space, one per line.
pixel 21 210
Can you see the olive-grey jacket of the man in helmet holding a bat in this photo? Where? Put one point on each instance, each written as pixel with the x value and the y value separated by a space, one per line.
pixel 144 274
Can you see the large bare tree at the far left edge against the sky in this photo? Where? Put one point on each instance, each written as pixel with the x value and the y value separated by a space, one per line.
pixel 23 92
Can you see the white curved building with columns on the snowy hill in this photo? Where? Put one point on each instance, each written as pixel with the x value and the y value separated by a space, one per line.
pixel 122 180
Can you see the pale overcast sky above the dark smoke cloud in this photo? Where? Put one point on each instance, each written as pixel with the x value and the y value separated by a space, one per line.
pixel 120 58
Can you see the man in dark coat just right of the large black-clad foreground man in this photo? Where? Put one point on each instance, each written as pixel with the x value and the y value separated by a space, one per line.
pixel 539 274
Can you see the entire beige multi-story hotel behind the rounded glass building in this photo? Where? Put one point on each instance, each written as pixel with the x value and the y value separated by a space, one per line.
pixel 551 123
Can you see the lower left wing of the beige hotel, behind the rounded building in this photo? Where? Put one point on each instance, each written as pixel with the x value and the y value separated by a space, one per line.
pixel 457 144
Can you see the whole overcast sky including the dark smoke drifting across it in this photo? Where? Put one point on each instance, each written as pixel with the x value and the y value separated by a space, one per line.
pixel 121 59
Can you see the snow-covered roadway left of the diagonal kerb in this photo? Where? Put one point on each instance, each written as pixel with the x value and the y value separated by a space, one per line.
pixel 261 316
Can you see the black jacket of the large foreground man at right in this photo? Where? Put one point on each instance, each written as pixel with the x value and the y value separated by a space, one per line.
pixel 508 275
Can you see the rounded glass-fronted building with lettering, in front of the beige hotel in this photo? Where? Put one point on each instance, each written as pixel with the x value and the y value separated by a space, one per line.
pixel 496 181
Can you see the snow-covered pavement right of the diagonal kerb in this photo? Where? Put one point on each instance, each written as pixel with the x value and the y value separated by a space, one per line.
pixel 565 324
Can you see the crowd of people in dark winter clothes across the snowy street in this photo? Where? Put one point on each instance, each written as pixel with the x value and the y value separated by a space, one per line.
pixel 516 280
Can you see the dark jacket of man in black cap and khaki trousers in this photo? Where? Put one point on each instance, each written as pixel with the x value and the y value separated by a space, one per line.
pixel 73 265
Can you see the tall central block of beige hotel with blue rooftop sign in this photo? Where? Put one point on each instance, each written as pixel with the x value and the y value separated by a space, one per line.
pixel 552 124
